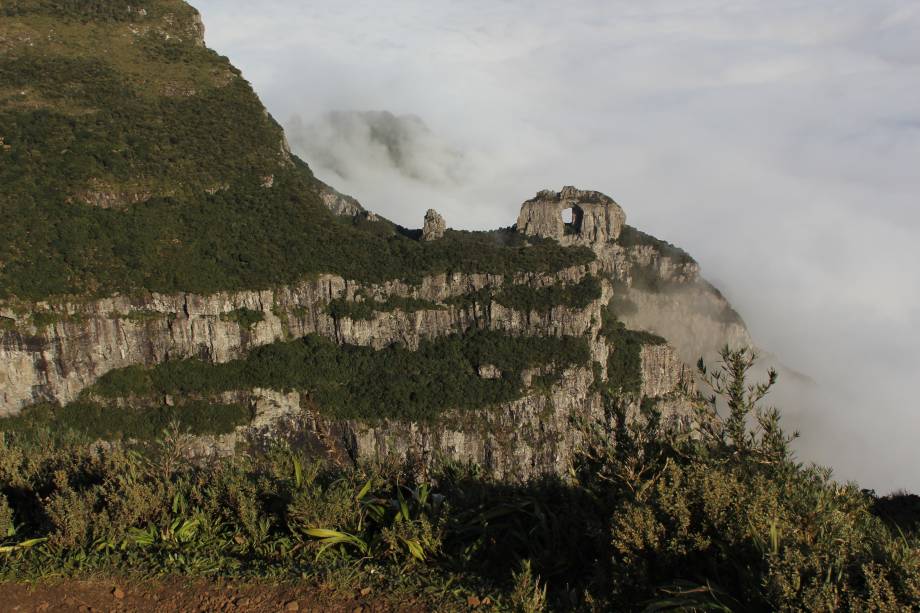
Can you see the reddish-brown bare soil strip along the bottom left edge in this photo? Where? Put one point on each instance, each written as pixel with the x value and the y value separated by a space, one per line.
pixel 184 597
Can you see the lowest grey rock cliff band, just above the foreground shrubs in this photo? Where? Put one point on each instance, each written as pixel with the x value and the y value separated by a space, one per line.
pixel 513 442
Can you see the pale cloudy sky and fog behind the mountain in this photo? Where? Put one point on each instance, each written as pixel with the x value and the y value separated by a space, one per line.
pixel 776 141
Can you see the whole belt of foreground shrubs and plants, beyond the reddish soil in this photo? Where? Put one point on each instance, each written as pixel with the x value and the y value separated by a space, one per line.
pixel 648 520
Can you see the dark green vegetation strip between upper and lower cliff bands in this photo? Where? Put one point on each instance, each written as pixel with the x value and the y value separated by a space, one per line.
pixel 353 381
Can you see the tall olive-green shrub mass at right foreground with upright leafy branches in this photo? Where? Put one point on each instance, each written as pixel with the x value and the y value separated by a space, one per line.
pixel 726 519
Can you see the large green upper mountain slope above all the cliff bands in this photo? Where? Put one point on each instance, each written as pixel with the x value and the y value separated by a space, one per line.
pixel 135 161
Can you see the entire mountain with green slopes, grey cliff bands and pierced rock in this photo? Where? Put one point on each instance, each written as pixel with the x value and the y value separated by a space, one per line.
pixel 167 258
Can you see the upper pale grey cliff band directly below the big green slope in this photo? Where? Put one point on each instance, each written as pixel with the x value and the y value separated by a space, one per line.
pixel 52 352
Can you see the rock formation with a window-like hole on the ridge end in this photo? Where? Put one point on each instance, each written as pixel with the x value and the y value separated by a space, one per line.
pixel 596 218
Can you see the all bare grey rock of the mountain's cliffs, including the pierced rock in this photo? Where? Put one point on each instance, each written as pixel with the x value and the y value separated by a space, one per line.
pixel 53 352
